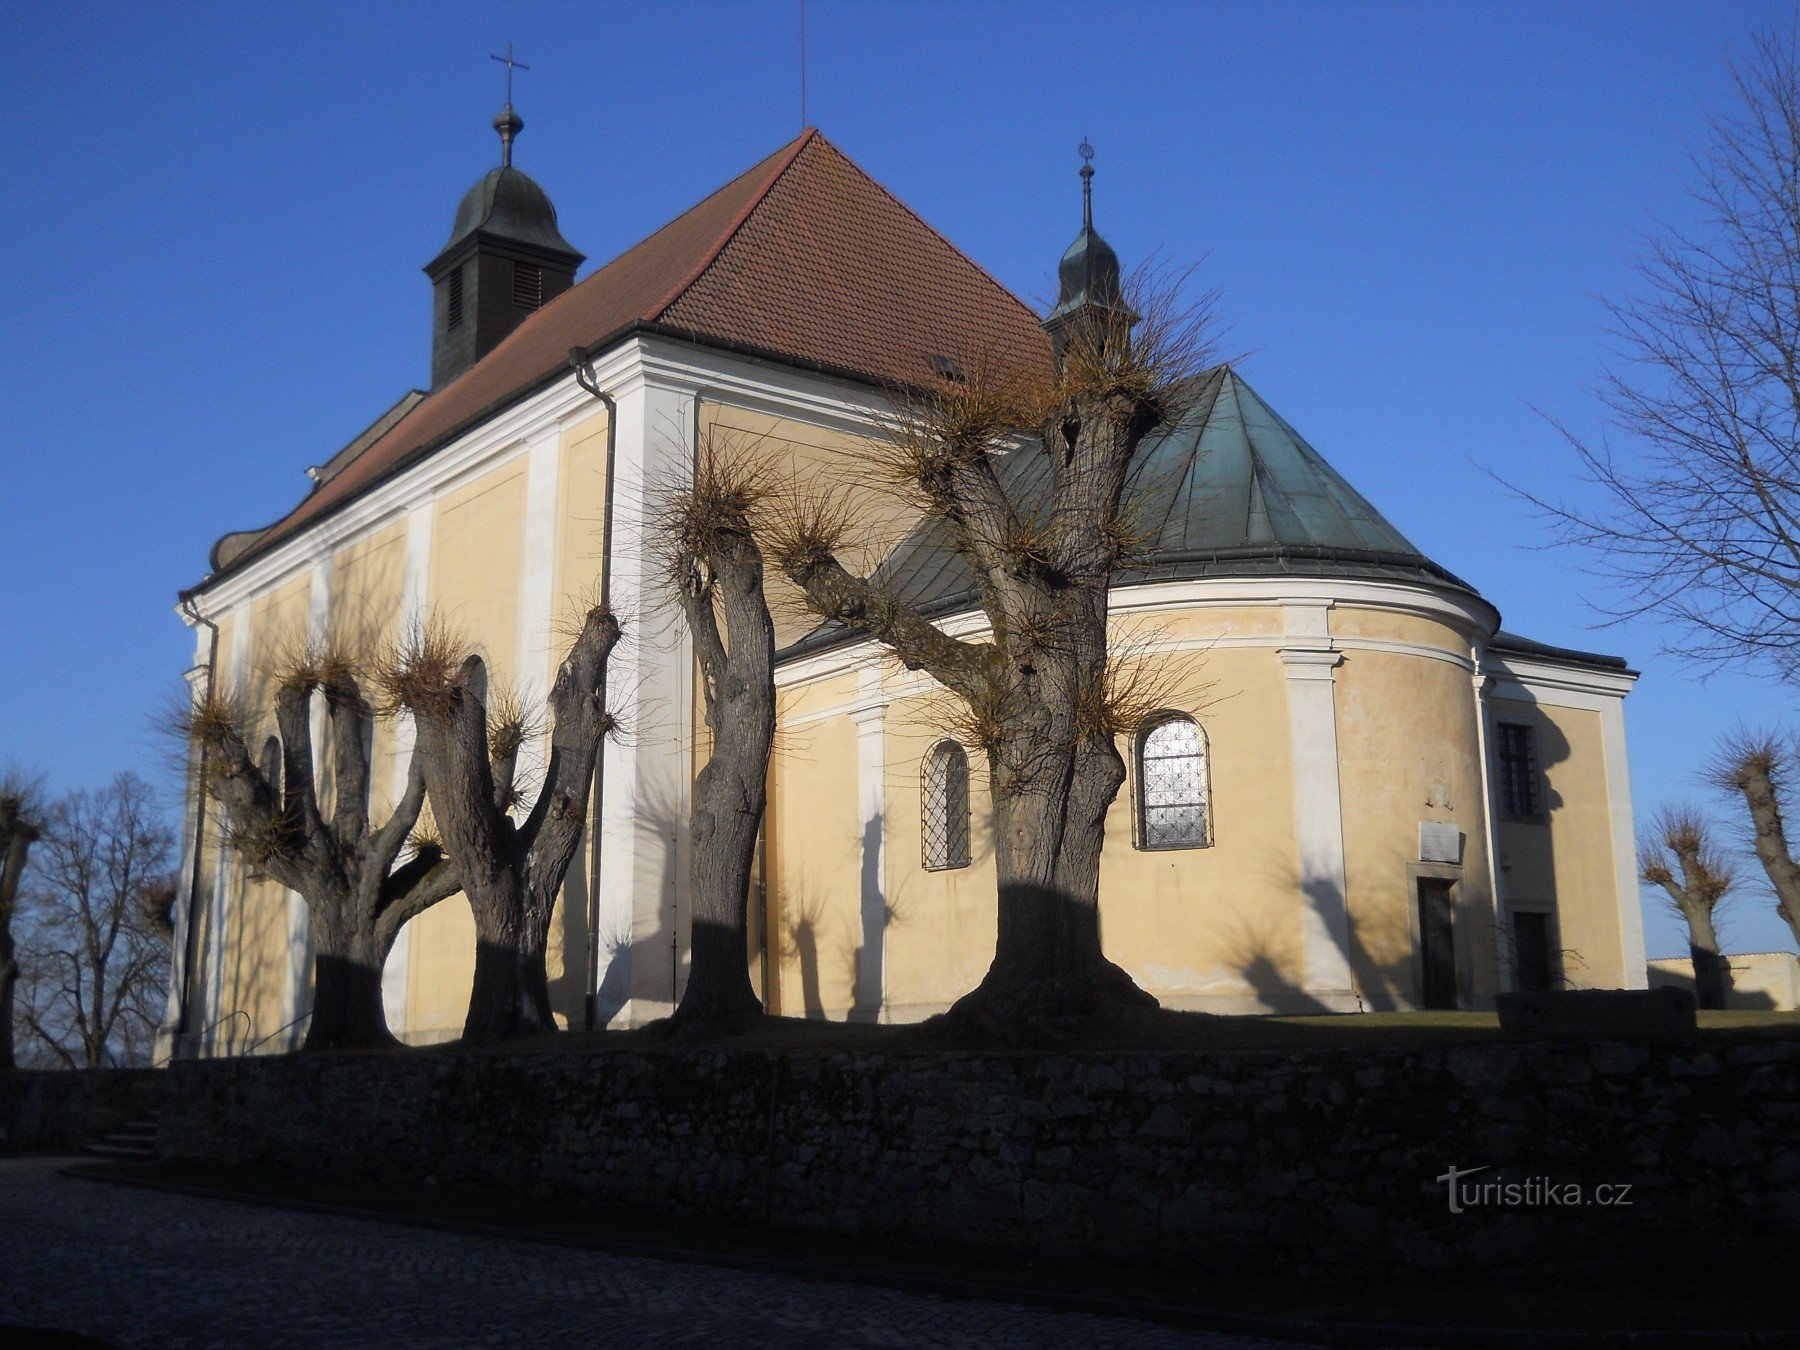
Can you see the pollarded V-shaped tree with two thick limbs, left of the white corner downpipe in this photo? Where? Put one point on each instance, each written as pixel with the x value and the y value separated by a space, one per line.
pixel 510 872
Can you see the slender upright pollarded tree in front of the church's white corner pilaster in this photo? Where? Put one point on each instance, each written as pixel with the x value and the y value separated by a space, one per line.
pixel 715 570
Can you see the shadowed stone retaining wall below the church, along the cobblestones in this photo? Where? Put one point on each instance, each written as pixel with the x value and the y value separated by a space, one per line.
pixel 1327 1164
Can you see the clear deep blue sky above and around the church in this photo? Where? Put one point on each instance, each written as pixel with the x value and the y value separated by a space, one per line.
pixel 219 215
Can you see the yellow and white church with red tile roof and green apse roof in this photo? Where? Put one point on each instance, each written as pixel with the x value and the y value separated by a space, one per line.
pixel 1367 796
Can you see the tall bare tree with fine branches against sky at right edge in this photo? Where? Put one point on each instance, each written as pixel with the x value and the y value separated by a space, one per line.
pixel 1702 514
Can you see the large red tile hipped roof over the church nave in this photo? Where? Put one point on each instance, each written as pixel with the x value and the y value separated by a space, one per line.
pixel 802 258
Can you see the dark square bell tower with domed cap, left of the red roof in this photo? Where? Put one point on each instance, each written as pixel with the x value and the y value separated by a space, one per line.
pixel 507 258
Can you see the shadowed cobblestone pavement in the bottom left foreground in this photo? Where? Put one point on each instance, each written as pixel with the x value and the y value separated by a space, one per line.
pixel 139 1268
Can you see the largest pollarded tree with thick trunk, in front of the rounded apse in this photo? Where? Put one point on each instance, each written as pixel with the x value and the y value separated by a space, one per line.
pixel 1041 537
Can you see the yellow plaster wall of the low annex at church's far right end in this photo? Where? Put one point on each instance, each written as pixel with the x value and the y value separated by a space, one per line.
pixel 1569 861
